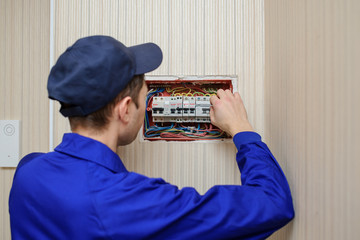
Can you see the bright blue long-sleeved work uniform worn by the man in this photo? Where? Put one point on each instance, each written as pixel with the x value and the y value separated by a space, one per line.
pixel 82 190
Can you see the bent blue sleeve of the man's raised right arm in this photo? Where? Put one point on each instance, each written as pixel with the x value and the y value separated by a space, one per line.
pixel 148 208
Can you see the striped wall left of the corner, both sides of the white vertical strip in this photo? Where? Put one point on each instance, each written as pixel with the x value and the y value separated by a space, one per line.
pixel 198 38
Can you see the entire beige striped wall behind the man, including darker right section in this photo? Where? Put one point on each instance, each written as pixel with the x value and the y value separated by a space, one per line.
pixel 295 62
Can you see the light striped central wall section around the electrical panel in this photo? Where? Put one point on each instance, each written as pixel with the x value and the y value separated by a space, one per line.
pixel 197 38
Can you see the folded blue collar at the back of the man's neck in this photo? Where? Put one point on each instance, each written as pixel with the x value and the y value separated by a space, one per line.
pixel 89 149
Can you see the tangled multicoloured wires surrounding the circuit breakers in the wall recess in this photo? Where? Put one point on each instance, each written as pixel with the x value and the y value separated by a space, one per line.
pixel 188 131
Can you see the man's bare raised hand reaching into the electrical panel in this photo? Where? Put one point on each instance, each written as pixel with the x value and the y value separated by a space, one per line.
pixel 228 112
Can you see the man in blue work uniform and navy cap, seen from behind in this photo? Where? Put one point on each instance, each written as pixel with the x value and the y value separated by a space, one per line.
pixel 82 190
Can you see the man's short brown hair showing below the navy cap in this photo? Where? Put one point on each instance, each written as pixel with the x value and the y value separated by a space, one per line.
pixel 99 120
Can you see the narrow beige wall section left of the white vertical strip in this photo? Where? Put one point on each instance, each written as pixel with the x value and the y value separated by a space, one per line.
pixel 24 66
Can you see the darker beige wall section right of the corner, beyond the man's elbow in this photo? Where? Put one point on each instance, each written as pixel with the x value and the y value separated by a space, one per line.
pixel 312 113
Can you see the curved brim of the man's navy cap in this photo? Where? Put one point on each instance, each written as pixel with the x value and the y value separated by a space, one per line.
pixel 148 57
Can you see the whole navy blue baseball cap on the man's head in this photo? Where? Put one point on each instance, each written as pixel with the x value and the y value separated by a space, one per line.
pixel 93 71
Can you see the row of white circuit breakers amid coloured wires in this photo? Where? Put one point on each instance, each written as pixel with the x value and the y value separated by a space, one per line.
pixel 181 109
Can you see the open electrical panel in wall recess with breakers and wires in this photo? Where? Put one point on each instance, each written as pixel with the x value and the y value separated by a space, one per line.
pixel 178 109
